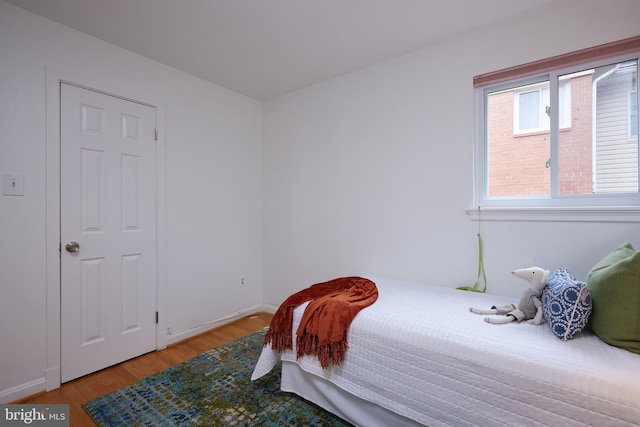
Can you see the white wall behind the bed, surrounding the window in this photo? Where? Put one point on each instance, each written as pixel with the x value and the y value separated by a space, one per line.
pixel 371 173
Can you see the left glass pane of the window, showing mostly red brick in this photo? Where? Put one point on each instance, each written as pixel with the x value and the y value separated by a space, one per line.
pixel 516 163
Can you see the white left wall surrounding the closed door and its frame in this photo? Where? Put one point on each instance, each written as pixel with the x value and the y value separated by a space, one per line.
pixel 213 173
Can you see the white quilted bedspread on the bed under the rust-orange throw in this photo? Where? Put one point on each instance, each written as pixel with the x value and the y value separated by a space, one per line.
pixel 420 353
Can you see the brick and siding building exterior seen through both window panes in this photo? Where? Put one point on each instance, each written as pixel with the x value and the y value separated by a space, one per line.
pixel 597 149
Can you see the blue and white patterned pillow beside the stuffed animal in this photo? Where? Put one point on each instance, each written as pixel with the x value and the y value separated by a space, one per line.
pixel 566 303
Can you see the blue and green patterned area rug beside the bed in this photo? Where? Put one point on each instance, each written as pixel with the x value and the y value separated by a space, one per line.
pixel 213 389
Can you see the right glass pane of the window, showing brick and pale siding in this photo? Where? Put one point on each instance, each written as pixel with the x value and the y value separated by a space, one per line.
pixel 596 154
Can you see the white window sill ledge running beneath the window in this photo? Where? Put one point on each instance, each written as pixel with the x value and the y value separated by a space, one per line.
pixel 558 214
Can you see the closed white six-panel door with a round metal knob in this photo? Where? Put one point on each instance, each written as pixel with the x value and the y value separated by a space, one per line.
pixel 108 230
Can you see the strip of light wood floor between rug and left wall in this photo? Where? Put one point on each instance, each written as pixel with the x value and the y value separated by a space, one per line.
pixel 110 379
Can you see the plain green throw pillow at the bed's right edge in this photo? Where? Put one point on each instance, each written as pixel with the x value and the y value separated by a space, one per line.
pixel 614 285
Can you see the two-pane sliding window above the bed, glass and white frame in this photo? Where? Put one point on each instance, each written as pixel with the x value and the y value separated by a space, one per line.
pixel 567 136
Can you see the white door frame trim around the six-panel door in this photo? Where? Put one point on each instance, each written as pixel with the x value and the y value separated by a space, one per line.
pixel 53 78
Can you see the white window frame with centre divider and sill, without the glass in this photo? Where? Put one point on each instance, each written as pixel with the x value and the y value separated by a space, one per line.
pixel 608 207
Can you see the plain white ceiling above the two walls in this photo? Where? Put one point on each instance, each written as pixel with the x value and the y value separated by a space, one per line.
pixel 267 48
